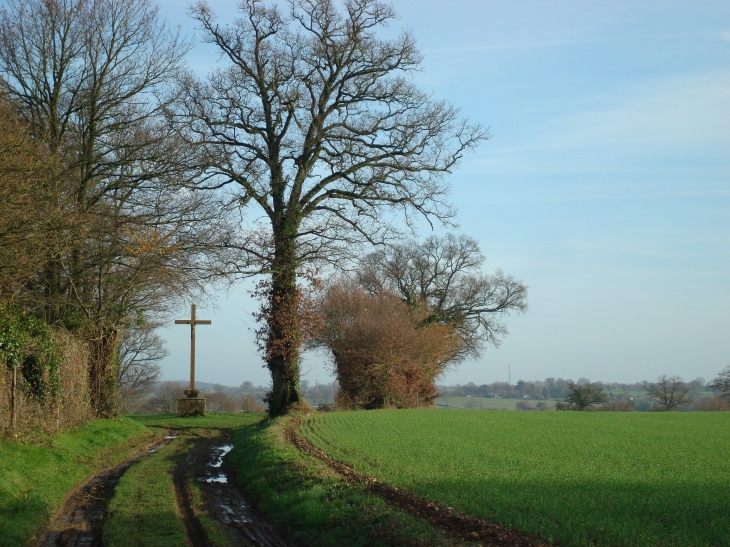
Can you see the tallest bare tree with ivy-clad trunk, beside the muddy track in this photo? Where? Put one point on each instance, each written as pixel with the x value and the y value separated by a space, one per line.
pixel 315 121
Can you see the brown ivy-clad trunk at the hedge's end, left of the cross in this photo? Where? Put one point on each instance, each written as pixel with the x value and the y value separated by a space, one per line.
pixel 103 371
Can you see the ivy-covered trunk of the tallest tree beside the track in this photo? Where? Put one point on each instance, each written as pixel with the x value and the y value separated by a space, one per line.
pixel 284 335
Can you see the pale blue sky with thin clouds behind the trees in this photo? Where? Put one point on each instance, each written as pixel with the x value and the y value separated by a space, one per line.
pixel 605 186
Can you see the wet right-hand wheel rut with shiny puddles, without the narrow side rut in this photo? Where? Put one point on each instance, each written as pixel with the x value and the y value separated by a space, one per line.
pixel 228 504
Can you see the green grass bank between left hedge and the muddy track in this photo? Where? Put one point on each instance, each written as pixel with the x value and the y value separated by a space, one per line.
pixel 35 478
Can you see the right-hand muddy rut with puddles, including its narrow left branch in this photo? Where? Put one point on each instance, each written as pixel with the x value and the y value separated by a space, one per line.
pixel 226 503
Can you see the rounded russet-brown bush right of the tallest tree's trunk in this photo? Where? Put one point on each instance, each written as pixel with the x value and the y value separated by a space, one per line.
pixel 381 356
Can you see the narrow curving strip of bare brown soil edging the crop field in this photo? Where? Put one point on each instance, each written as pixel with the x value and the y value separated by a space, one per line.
pixel 457 524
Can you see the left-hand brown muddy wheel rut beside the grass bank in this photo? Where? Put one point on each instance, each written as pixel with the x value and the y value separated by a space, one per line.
pixel 78 522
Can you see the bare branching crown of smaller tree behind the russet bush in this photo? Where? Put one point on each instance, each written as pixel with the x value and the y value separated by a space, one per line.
pixel 443 275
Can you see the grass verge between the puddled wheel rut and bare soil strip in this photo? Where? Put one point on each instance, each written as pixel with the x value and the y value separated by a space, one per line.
pixel 300 494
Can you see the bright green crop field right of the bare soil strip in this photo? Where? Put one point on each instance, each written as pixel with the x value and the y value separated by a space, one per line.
pixel 573 478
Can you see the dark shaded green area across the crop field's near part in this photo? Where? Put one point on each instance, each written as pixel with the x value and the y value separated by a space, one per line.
pixel 594 513
